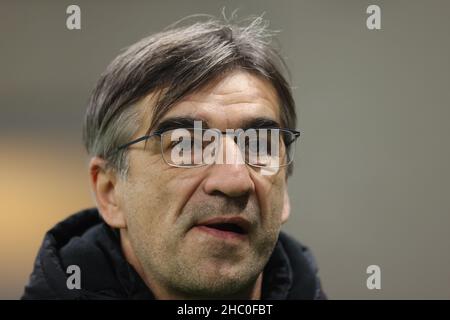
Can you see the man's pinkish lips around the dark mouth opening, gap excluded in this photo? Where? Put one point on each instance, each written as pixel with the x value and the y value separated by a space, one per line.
pixel 204 226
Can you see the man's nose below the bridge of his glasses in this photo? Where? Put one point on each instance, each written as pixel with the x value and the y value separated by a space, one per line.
pixel 231 176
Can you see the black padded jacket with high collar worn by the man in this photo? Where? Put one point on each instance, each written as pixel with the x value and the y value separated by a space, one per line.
pixel 85 240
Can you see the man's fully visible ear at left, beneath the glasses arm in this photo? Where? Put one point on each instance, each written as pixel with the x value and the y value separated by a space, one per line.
pixel 104 186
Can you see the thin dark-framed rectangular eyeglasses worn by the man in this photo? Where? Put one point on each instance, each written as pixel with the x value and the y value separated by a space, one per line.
pixel 194 147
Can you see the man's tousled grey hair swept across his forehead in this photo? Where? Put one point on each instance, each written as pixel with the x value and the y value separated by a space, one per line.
pixel 174 63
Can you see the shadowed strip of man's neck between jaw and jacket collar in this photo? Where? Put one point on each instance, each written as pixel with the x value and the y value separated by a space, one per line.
pixel 160 292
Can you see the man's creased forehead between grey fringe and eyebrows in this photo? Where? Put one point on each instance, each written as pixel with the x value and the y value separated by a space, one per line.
pixel 230 101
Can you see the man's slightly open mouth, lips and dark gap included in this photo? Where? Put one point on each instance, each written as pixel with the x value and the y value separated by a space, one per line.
pixel 225 227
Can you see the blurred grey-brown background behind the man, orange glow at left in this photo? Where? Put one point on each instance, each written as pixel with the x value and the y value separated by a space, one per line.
pixel 372 176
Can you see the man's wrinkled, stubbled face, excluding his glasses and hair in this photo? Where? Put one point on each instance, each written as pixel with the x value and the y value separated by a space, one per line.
pixel 169 210
